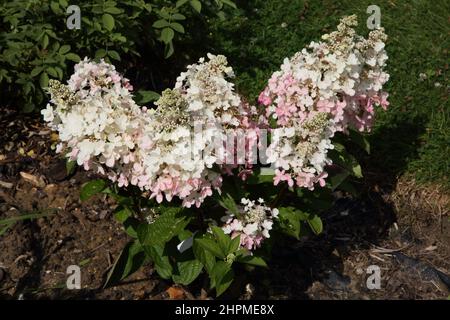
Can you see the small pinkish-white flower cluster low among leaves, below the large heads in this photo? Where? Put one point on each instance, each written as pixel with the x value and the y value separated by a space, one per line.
pixel 252 224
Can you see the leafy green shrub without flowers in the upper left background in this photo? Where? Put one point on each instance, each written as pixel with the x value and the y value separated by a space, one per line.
pixel 35 43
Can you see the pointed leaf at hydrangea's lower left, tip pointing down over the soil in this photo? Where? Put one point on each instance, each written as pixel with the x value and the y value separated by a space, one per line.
pixel 129 261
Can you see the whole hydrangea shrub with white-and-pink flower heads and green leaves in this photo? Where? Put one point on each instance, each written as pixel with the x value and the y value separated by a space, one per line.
pixel 205 180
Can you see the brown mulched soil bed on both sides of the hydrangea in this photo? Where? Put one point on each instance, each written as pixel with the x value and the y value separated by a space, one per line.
pixel 402 229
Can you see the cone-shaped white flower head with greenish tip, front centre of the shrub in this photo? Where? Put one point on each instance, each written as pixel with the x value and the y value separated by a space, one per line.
pixel 171 158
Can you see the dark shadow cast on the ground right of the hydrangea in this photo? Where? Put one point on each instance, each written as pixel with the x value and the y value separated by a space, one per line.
pixel 352 223
